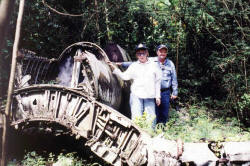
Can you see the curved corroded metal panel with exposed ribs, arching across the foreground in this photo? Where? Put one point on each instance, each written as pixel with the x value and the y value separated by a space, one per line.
pixel 109 134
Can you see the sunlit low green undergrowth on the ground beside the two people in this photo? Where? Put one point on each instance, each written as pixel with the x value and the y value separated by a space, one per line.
pixel 198 124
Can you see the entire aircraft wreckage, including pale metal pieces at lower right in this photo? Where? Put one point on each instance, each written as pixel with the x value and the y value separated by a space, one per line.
pixel 79 91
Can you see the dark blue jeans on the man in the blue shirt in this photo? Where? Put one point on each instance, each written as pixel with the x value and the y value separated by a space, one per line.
pixel 162 110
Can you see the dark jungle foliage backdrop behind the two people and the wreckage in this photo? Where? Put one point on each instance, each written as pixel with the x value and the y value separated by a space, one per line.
pixel 208 41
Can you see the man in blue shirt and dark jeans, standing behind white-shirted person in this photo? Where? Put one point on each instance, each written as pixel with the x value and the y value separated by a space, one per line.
pixel 168 83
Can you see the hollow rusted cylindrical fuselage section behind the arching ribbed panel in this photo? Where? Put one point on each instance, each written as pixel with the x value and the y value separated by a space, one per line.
pixel 82 67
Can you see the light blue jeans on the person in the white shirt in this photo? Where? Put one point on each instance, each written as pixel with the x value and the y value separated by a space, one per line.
pixel 139 105
